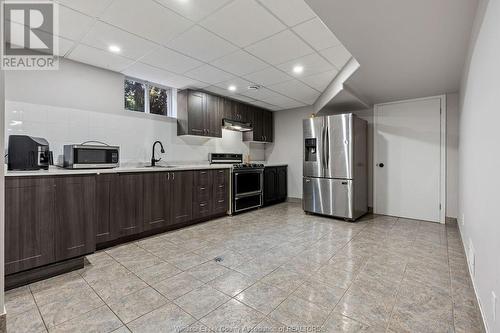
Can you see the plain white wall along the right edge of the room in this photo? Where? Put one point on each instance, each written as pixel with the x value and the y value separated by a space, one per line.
pixel 479 158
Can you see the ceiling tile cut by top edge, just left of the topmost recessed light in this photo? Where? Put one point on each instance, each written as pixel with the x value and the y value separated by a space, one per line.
pixel 147 19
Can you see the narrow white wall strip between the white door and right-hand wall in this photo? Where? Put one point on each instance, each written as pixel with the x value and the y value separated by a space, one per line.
pixel 452 115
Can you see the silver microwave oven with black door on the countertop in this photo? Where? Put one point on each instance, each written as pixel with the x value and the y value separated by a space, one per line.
pixel 91 157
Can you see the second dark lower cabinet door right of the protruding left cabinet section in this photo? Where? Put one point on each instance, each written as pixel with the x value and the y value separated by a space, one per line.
pixel 127 203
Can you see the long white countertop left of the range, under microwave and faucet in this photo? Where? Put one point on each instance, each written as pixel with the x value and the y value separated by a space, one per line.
pixel 57 171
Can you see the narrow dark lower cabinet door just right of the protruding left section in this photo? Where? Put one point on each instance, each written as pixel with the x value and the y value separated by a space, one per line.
pixel 106 230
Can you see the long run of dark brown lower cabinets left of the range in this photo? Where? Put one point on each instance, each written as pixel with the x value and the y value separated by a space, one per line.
pixel 51 219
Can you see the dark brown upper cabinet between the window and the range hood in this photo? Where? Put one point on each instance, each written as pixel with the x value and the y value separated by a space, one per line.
pixel 199 113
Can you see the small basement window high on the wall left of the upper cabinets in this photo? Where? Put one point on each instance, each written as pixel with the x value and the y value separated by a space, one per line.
pixel 147 97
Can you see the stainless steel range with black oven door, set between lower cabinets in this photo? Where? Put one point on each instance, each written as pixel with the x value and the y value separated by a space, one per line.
pixel 246 190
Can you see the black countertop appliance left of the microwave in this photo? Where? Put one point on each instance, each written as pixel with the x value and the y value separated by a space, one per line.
pixel 28 153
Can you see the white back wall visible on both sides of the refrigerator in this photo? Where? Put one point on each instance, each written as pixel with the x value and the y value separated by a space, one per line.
pixel 287 147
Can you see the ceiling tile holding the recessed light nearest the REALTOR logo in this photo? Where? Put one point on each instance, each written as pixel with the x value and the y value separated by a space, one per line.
pixel 102 35
